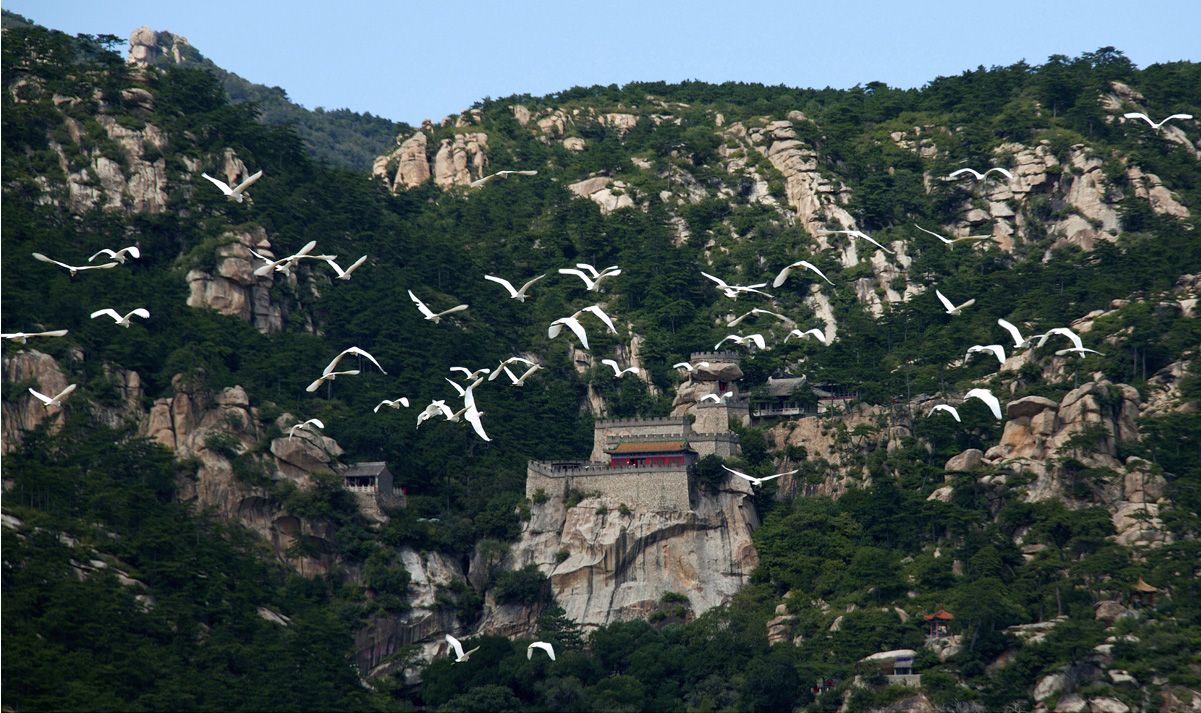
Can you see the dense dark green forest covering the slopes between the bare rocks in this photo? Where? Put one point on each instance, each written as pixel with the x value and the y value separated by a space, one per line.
pixel 121 596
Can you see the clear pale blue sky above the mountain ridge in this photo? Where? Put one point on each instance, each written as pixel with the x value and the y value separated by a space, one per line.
pixel 416 61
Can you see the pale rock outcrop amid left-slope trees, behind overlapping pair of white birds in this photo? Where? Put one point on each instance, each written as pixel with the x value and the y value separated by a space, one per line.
pixel 234 289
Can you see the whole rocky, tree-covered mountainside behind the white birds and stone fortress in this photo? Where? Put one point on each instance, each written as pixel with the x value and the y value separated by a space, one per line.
pixel 1043 532
